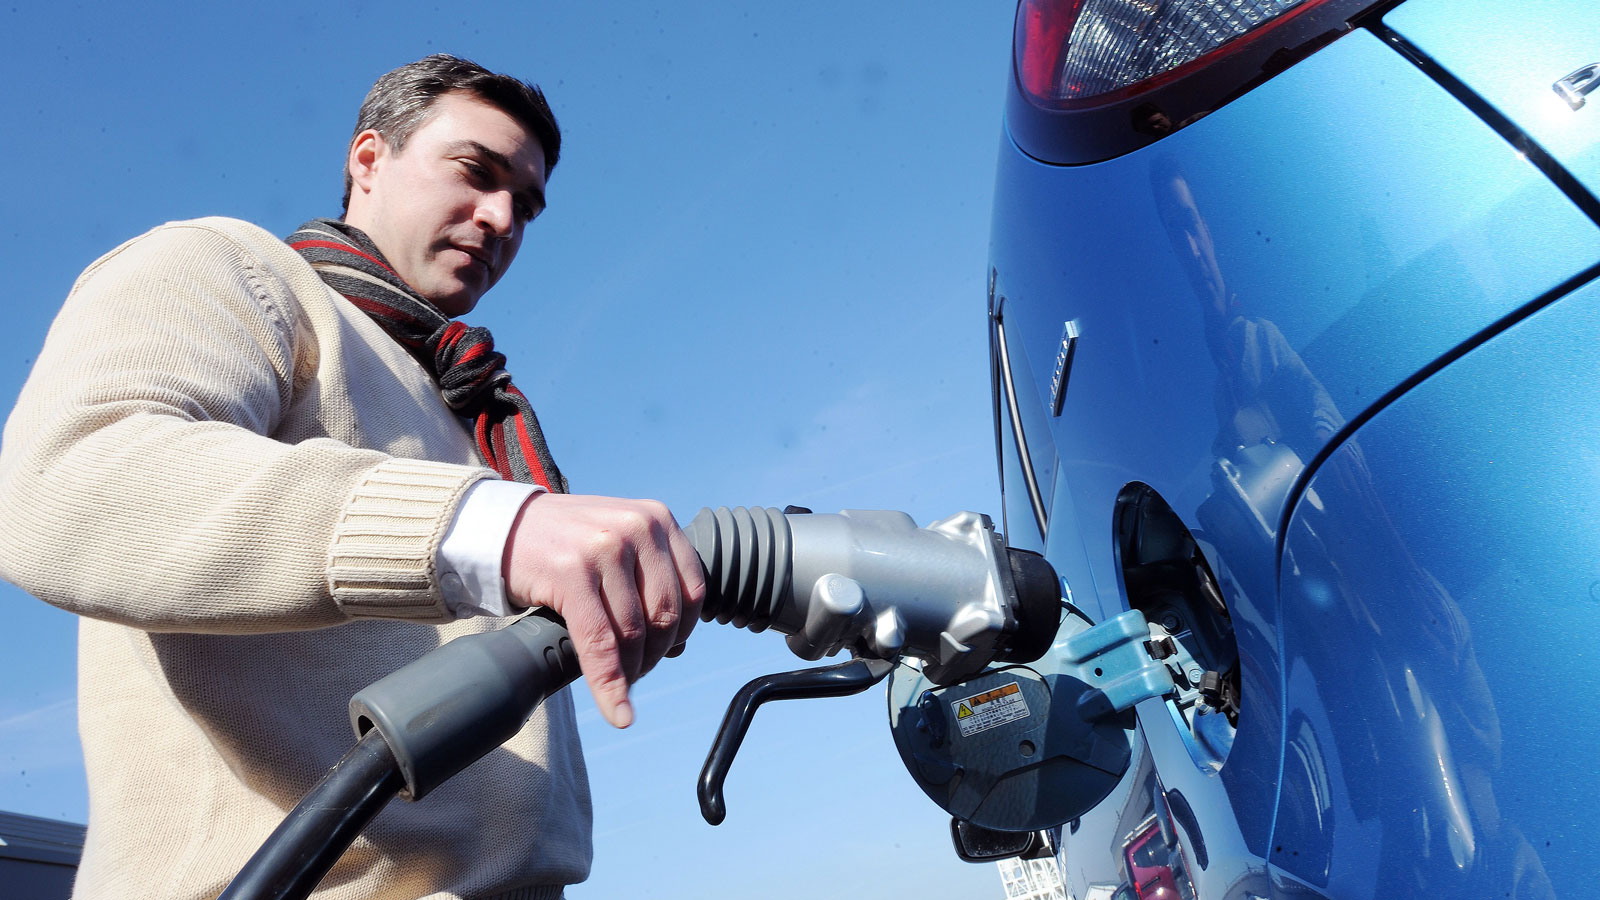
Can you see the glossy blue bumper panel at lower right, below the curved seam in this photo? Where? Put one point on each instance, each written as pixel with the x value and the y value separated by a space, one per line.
pixel 1471 500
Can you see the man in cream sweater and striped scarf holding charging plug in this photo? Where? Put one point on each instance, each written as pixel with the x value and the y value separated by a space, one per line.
pixel 234 448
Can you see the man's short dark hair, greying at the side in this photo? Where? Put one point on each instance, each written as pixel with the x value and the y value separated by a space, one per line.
pixel 402 100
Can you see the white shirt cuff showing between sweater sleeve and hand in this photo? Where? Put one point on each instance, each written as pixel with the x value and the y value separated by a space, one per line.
pixel 471 556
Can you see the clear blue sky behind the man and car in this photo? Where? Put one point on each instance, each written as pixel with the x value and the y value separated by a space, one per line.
pixel 761 281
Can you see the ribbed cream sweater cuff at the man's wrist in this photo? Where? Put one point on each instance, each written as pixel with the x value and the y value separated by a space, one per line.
pixel 383 556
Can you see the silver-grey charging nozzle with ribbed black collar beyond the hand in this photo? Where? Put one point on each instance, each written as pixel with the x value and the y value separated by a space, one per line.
pixel 874 584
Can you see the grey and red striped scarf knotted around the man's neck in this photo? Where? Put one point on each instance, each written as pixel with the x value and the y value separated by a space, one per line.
pixel 463 361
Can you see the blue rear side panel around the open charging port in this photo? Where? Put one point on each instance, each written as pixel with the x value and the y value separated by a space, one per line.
pixel 1249 291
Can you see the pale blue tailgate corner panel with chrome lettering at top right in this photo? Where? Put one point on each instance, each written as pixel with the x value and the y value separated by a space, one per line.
pixel 1511 54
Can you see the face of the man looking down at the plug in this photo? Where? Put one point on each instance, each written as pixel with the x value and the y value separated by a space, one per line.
pixel 449 211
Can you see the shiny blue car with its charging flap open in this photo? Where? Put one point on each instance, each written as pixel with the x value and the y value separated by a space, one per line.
pixel 1297 352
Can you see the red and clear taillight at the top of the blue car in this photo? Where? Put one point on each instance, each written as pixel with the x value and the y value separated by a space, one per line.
pixel 1074 52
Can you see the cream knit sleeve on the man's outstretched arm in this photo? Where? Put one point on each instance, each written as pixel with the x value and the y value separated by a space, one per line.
pixel 138 481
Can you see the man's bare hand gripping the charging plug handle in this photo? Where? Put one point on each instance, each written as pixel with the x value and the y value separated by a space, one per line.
pixel 620 573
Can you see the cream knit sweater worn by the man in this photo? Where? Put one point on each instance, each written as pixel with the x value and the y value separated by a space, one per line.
pixel 222 465
